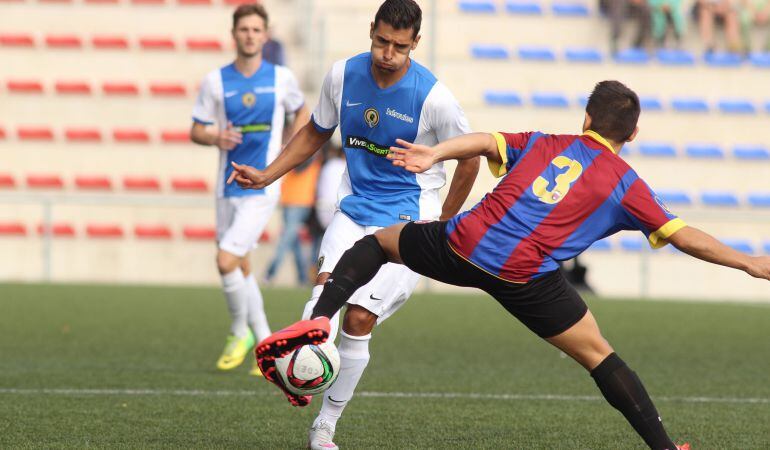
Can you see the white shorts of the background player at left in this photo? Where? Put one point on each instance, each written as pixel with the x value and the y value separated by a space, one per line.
pixel 241 220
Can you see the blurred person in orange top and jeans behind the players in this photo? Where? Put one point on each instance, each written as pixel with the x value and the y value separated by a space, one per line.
pixel 297 197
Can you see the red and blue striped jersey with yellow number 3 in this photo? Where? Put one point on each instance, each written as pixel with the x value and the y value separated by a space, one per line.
pixel 559 194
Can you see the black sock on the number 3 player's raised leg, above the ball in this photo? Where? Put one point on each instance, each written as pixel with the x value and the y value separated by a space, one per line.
pixel 357 266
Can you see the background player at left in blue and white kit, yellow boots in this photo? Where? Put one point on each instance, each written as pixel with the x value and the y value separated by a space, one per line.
pixel 241 109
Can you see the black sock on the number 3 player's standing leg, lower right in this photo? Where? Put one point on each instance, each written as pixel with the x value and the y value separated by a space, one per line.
pixel 625 392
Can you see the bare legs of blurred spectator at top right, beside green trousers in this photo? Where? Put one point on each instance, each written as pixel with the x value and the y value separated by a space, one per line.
pixel 719 12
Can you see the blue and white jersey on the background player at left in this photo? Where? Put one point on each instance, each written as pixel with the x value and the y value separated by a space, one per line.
pixel 257 105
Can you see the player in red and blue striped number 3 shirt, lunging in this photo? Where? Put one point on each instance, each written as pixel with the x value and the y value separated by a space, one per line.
pixel 559 194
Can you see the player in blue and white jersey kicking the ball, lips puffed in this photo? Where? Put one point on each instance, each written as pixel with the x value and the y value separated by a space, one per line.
pixel 374 98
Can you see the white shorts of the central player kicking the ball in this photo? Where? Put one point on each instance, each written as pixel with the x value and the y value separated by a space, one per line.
pixel 388 290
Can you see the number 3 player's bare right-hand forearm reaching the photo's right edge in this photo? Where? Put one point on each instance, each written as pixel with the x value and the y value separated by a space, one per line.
pixel 703 246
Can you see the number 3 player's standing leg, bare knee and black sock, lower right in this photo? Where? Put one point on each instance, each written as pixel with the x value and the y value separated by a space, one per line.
pixel 620 386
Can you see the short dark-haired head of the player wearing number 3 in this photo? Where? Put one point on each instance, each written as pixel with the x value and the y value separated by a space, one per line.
pixel 614 110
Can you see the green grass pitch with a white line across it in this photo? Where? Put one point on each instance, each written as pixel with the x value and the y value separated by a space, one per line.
pixel 133 367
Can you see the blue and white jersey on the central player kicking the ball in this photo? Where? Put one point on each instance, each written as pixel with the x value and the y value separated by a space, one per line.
pixel 417 109
